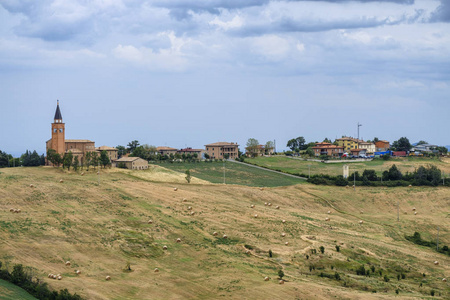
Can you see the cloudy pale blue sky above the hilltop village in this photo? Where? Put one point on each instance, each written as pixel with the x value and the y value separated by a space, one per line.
pixel 189 73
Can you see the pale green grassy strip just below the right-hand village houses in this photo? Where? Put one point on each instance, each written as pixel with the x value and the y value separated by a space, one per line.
pixel 293 166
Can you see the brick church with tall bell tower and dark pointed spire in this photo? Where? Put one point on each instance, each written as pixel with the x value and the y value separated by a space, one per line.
pixel 78 148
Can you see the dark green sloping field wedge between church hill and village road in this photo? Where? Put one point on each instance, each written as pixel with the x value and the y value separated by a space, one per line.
pixel 234 174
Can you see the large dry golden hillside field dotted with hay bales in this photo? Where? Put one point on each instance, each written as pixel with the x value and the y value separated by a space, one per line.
pixel 102 228
